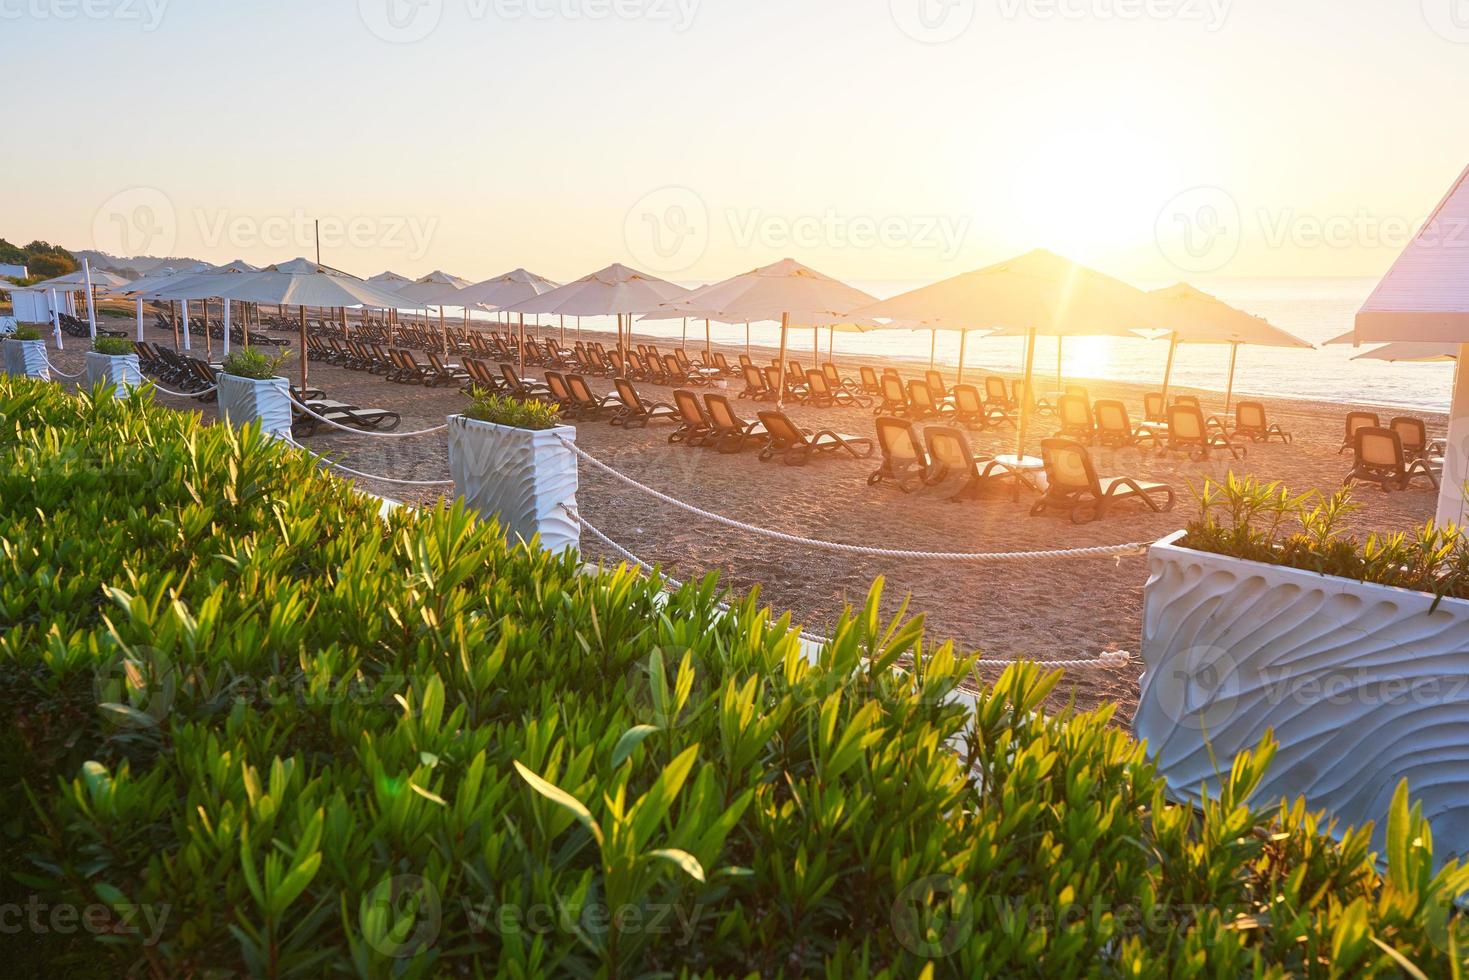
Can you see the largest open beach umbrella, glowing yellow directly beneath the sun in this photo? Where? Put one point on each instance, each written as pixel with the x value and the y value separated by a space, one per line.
pixel 1039 295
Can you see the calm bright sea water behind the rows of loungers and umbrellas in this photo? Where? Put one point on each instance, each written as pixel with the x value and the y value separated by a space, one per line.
pixel 1311 309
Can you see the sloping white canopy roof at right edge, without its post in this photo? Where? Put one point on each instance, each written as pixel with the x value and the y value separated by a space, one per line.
pixel 1426 295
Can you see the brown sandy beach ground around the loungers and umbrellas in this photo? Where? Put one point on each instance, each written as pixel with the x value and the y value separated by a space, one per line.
pixel 1053 610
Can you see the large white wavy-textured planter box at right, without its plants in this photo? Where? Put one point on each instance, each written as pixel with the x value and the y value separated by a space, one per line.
pixel 1364 685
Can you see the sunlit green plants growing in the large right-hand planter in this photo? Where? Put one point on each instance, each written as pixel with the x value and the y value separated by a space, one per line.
pixel 1266 522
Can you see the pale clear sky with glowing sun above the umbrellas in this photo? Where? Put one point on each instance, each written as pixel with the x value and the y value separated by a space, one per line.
pixel 878 140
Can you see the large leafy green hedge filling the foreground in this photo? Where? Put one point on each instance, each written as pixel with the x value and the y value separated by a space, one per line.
pixel 253 728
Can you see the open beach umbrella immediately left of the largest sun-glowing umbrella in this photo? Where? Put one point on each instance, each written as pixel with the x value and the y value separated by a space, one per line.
pixel 785 292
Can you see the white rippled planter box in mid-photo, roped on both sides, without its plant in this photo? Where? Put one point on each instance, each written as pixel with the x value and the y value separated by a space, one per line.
pixel 519 477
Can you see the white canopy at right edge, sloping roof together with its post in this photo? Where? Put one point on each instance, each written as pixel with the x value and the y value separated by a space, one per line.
pixel 1426 299
